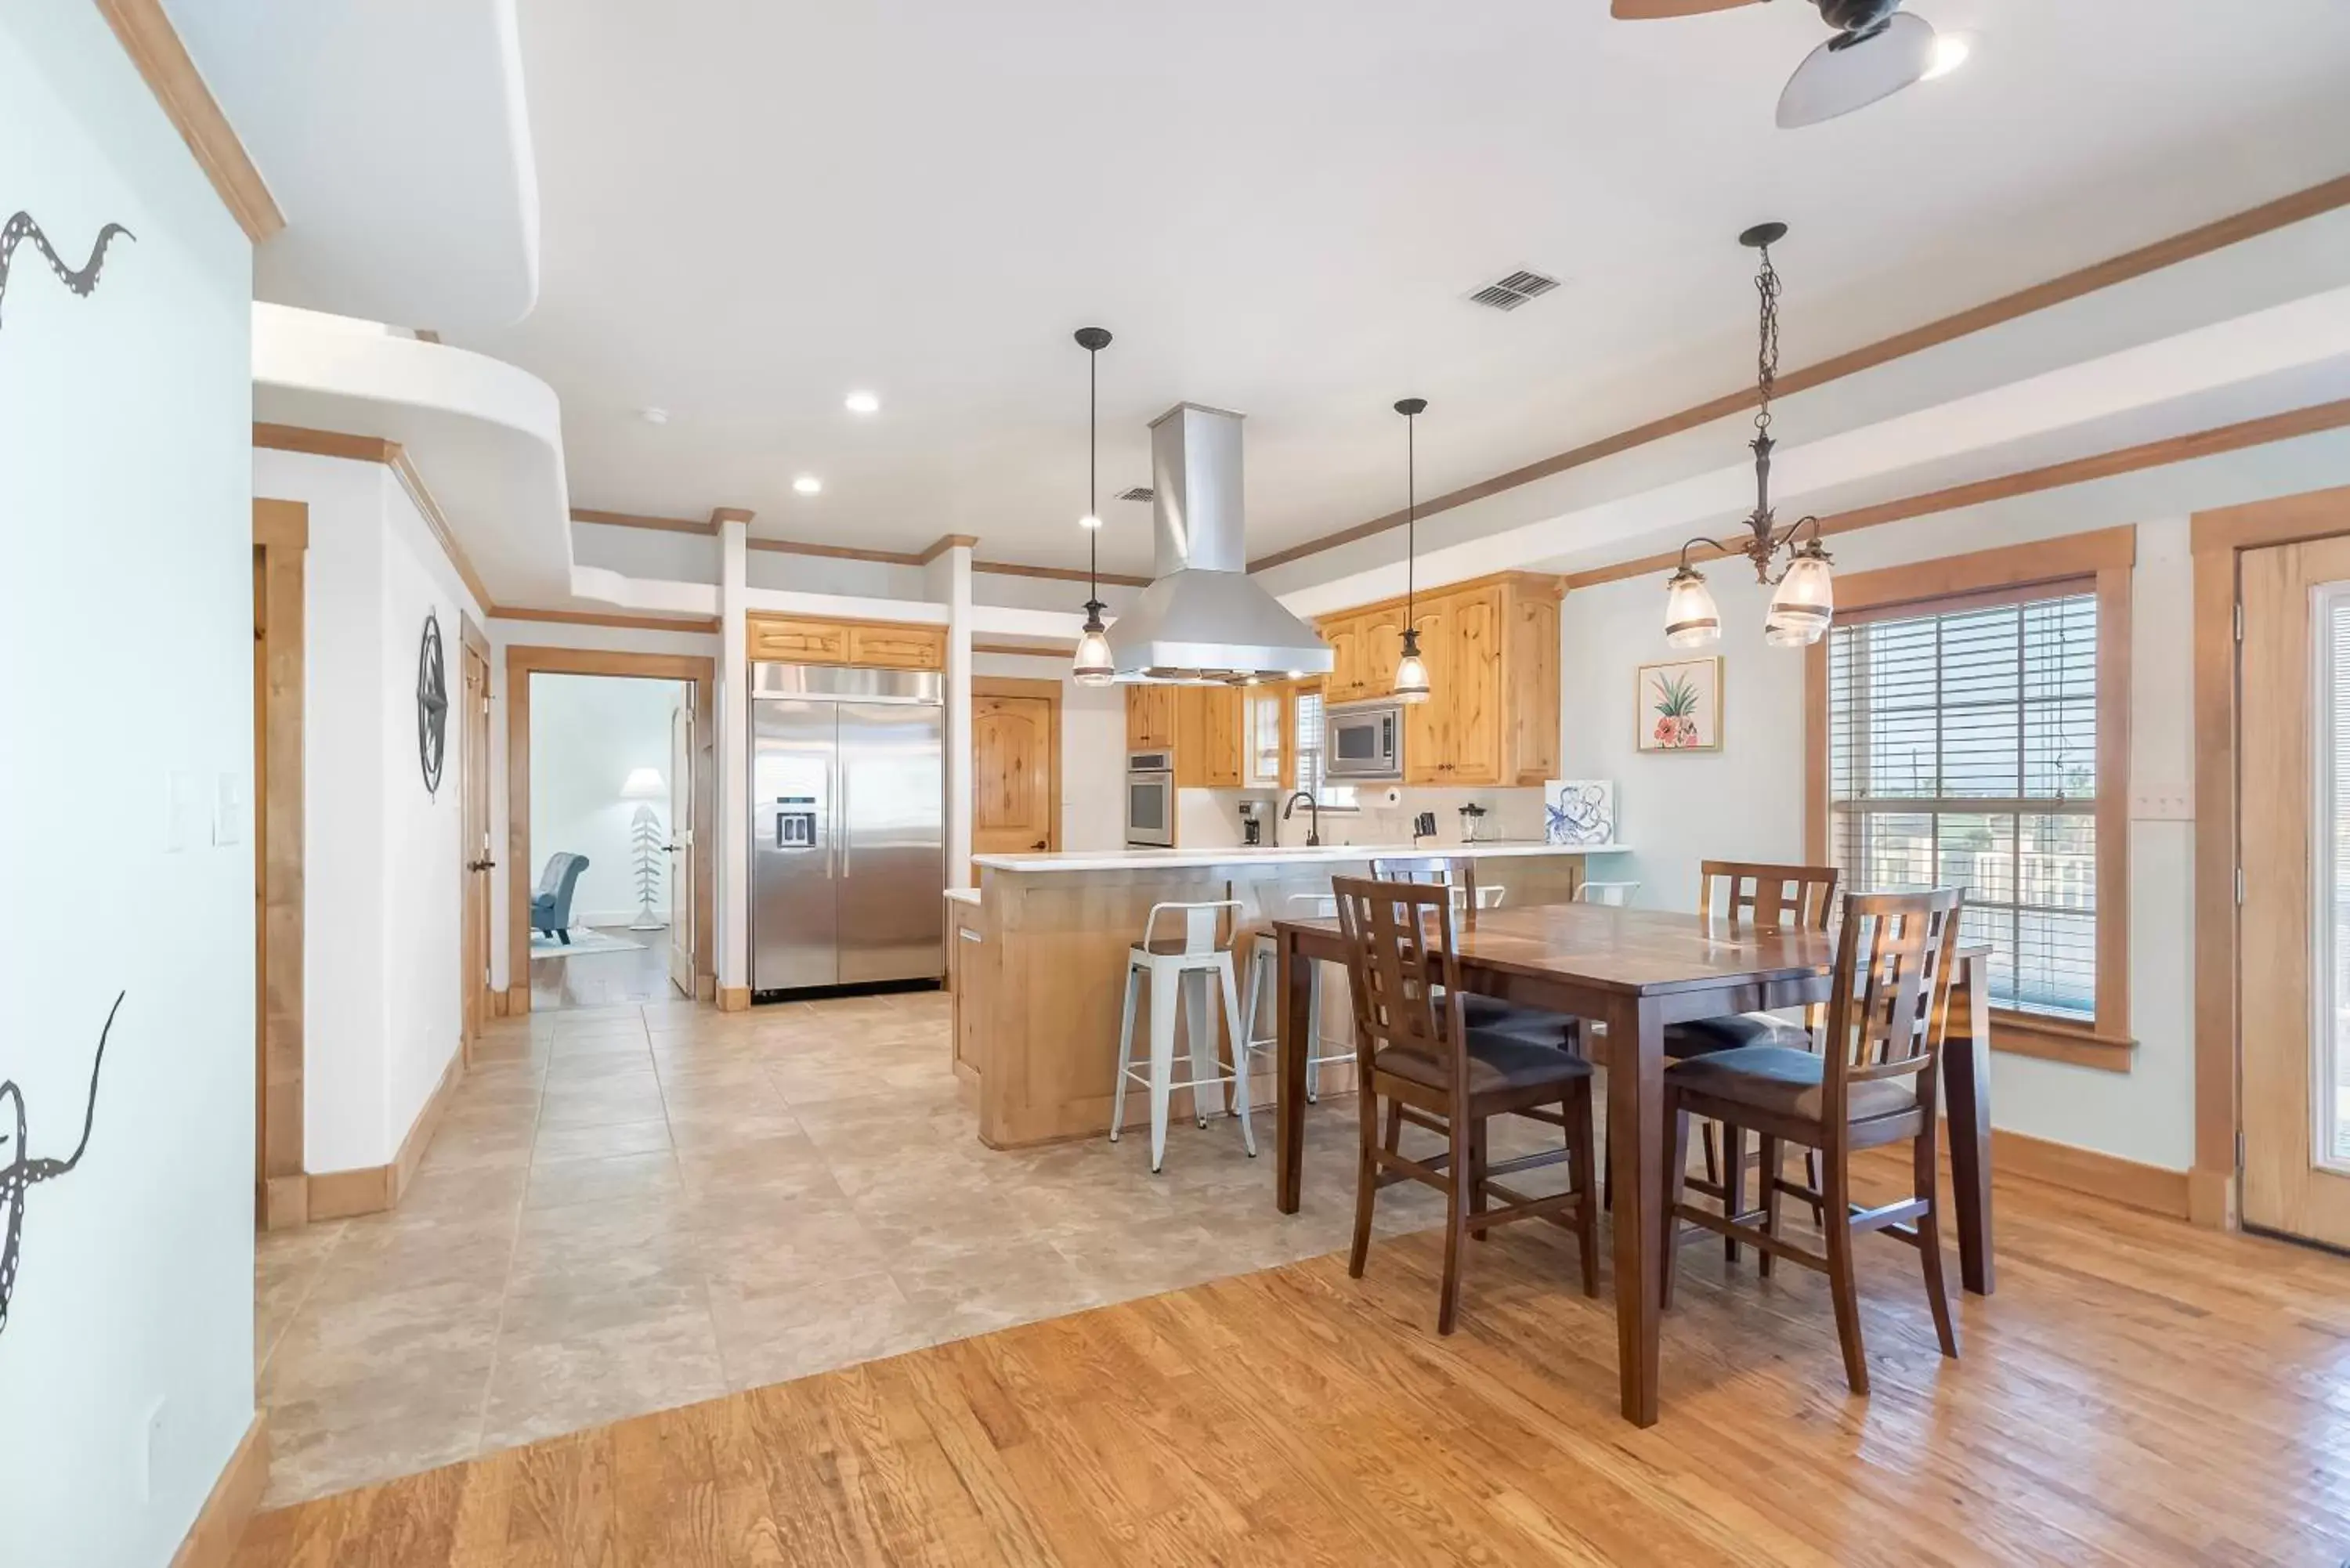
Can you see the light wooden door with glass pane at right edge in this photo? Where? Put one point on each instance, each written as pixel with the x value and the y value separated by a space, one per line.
pixel 2295 845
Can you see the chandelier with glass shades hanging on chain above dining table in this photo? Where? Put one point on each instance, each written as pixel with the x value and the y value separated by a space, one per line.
pixel 1804 591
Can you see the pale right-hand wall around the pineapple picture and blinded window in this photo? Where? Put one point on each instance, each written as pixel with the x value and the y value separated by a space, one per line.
pixel 1747 800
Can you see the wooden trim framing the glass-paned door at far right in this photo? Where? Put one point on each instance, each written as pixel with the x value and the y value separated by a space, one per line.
pixel 2220 542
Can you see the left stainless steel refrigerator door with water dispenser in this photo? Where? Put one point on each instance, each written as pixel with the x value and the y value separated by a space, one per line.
pixel 795 845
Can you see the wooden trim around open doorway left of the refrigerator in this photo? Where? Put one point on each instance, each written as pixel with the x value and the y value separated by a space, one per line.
pixel 521 666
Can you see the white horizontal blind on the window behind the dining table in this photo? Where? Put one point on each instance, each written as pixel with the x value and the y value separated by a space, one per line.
pixel 1963 753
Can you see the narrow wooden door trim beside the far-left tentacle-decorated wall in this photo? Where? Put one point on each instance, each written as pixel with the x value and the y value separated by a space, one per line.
pixel 283 537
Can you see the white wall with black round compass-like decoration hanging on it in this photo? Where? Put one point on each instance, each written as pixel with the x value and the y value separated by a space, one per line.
pixel 382 857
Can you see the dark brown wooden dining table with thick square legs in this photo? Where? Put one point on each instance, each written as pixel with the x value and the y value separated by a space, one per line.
pixel 1639 972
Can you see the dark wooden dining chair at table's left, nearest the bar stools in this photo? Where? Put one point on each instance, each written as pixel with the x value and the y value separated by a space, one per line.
pixel 1418 1052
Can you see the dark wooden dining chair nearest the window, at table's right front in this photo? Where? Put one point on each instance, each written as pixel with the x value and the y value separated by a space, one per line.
pixel 1874 1083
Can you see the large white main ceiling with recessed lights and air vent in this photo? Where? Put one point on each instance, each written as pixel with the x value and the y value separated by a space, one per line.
pixel 1280 208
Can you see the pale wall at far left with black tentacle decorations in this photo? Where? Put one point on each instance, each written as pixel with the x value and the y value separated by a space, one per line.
pixel 128 1353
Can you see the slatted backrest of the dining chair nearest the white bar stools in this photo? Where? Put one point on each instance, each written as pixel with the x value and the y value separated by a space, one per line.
pixel 1402 970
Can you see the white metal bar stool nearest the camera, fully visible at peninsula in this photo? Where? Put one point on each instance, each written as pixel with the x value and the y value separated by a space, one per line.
pixel 1183 967
